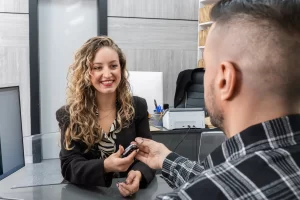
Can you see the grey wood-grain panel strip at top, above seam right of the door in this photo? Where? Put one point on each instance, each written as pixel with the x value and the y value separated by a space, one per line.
pixel 167 9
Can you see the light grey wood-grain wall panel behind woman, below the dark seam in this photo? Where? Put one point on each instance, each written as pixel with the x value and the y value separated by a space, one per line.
pixel 167 46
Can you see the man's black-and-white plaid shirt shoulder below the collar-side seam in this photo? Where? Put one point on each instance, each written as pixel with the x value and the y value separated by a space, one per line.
pixel 261 169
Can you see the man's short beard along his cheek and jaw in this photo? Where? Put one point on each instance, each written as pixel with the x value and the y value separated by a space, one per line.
pixel 215 114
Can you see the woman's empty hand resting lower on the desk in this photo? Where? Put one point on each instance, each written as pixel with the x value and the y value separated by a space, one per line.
pixel 131 185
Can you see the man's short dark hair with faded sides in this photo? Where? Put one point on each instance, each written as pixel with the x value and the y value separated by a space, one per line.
pixel 279 20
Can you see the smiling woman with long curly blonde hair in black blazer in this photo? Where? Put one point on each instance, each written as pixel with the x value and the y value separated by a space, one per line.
pixel 100 119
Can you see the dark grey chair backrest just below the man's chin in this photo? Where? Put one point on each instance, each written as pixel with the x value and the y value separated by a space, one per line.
pixel 209 141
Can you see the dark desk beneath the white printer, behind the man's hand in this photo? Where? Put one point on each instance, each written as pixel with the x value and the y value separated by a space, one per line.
pixel 190 145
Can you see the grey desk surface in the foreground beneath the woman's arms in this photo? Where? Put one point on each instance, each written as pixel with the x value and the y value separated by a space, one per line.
pixel 72 192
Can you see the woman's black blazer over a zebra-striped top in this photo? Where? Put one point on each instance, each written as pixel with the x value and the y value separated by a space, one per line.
pixel 88 168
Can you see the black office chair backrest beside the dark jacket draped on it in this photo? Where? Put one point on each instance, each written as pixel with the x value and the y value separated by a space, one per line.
pixel 194 91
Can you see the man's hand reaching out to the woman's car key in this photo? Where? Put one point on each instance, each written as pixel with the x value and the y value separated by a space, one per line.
pixel 151 153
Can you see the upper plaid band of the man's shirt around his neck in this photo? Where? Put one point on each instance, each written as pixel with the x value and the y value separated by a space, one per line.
pixel 277 133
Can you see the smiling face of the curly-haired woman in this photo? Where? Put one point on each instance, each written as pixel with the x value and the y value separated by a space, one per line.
pixel 106 71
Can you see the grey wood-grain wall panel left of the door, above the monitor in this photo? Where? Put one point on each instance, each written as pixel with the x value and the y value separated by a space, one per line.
pixel 14 60
